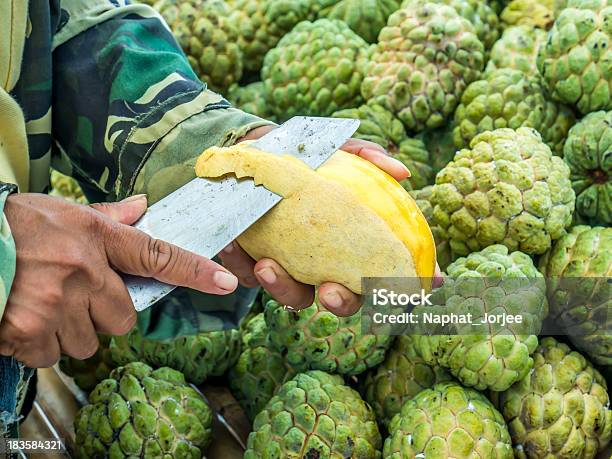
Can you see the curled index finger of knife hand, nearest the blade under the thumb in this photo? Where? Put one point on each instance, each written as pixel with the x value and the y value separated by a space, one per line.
pixel 111 309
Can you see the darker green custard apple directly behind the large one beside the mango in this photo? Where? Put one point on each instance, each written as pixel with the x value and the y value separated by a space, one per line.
pixel 507 98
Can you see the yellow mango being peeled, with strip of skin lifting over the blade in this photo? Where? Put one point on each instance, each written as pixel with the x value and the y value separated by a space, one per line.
pixel 348 211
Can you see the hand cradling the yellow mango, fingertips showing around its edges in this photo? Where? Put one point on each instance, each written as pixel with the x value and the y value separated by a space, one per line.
pixel 270 275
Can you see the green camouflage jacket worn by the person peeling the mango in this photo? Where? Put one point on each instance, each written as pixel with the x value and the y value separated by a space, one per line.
pixel 109 98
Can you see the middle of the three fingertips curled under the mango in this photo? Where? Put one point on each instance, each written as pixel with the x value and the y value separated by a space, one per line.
pixel 282 286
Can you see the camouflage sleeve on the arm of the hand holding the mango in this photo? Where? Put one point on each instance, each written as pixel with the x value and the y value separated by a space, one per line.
pixel 130 116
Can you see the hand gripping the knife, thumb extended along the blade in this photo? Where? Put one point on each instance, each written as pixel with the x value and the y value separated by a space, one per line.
pixel 66 288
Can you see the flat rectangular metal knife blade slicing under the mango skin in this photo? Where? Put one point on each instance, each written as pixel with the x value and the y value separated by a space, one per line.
pixel 205 215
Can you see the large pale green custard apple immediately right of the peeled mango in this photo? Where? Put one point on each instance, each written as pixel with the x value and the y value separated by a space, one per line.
pixel 509 189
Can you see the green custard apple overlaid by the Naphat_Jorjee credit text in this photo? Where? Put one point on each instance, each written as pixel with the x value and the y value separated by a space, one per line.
pixel 495 282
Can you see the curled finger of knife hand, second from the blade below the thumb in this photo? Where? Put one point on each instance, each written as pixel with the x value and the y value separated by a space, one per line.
pixel 78 339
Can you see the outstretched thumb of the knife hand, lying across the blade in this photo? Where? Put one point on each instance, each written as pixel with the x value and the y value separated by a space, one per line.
pixel 133 252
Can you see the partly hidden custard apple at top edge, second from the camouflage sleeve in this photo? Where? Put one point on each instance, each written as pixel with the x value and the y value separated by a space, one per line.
pixel 262 23
